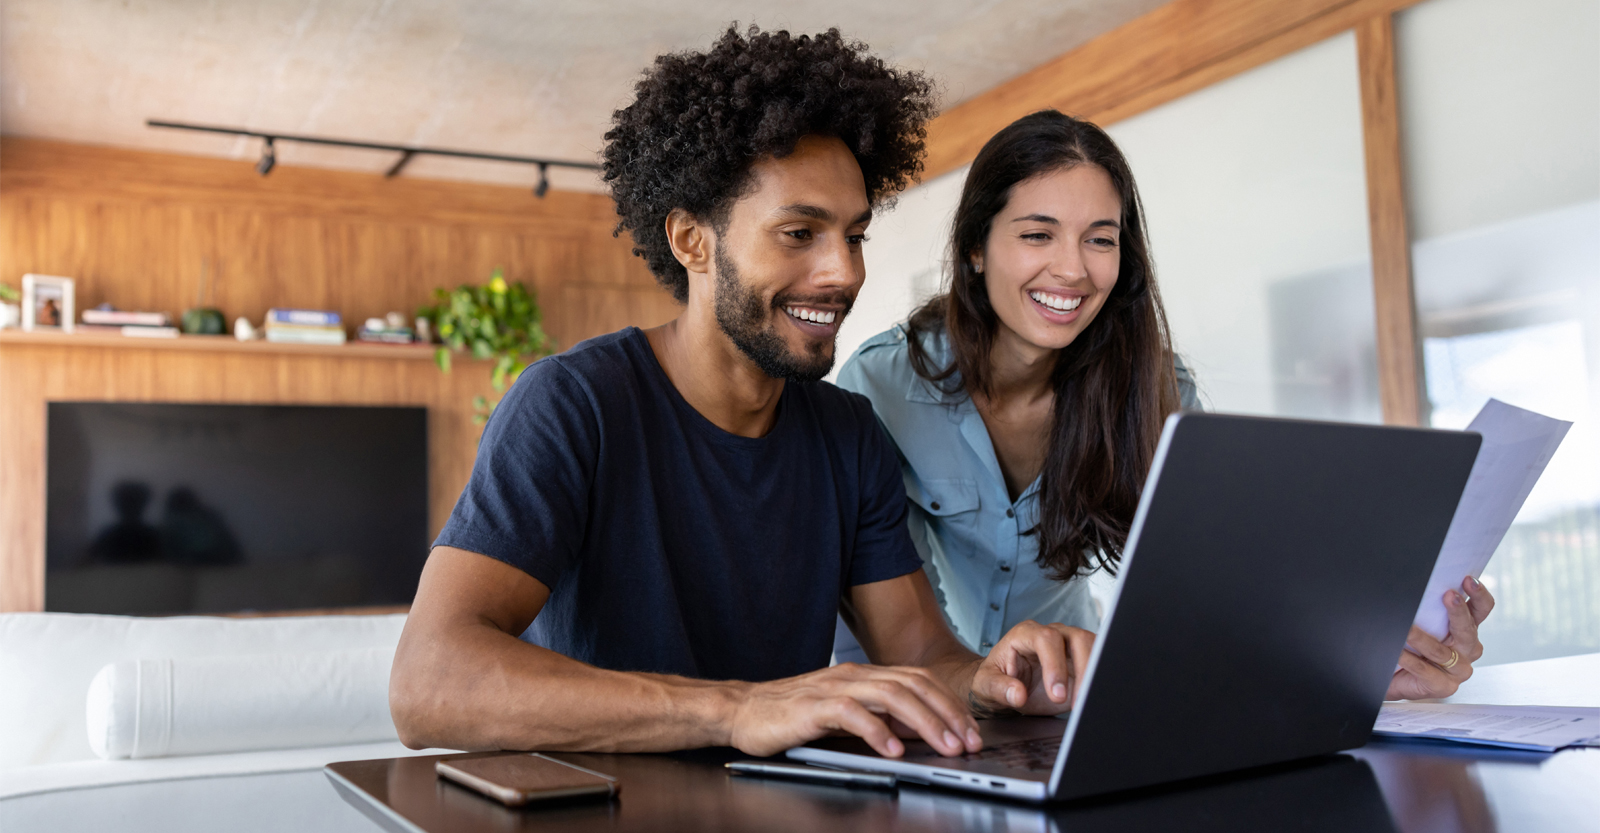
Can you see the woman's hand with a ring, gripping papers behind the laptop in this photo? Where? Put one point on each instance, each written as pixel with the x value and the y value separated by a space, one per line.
pixel 1438 668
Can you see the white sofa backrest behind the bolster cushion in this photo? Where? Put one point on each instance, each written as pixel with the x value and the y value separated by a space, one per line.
pixel 47 663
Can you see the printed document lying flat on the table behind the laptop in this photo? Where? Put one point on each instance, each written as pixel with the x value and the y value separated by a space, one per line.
pixel 1543 728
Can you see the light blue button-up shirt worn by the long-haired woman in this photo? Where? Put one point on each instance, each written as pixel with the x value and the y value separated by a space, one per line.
pixel 969 532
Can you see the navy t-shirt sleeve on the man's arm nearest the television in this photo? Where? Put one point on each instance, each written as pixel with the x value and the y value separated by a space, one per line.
pixel 527 503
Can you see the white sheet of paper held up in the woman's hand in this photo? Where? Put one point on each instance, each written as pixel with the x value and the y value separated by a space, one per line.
pixel 1518 445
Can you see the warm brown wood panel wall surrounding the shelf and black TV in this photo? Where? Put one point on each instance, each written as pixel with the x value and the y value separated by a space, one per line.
pixel 135 229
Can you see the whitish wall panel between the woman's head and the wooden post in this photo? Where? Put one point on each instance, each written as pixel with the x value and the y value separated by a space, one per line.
pixel 1257 207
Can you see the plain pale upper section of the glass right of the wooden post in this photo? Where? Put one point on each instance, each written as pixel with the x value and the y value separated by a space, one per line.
pixel 1500 110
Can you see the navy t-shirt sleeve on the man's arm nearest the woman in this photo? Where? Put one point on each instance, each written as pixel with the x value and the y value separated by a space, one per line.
pixel 884 549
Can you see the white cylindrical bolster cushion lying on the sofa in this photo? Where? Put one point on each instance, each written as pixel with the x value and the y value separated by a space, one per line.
pixel 161 707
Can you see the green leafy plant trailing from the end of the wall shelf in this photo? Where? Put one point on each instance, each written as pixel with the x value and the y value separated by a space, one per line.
pixel 497 322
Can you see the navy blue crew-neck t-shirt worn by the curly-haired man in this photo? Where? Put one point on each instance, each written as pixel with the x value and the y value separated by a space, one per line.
pixel 670 544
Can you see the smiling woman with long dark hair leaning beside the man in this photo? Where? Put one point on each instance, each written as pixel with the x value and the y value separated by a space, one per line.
pixel 1028 402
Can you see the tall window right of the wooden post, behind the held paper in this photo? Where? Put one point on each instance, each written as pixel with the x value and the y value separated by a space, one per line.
pixel 1500 121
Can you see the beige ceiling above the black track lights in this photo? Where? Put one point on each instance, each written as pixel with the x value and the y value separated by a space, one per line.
pixel 498 76
